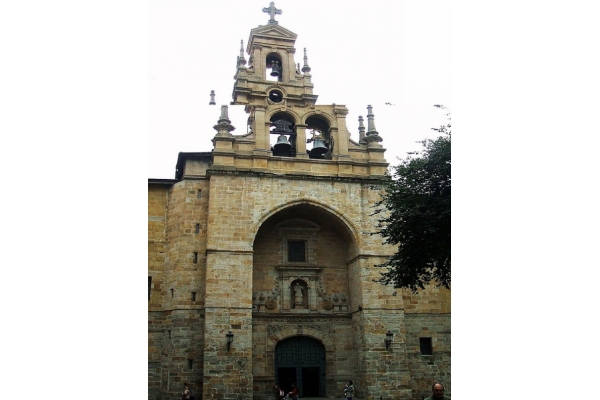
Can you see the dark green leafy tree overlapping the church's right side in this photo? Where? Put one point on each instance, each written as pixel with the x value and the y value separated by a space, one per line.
pixel 414 214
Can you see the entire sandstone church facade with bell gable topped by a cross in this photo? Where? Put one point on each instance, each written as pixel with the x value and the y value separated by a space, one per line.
pixel 261 258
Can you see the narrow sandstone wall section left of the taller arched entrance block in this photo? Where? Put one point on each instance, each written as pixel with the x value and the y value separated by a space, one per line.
pixel 176 320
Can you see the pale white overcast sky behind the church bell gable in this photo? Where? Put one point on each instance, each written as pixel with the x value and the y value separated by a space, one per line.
pixel 360 53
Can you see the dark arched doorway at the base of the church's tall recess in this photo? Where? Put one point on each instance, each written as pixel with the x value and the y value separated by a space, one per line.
pixel 301 360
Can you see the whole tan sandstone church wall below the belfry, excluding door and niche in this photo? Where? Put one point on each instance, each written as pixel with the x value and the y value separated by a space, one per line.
pixel 236 253
